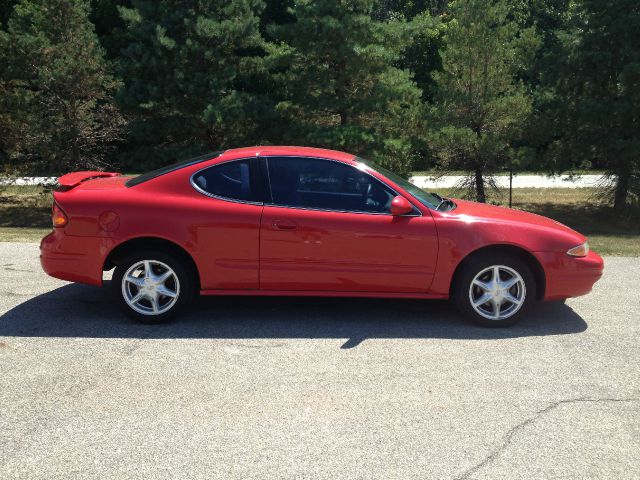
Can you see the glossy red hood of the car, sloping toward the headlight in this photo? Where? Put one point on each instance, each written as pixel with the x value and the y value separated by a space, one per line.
pixel 490 213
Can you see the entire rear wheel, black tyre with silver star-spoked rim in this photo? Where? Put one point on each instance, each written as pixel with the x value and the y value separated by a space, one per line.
pixel 162 295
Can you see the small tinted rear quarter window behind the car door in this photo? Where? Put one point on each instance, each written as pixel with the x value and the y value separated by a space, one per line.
pixel 228 180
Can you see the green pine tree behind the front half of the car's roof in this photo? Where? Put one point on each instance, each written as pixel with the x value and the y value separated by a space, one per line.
pixel 337 83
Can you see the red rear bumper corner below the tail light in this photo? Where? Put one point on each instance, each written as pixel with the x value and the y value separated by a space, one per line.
pixel 71 258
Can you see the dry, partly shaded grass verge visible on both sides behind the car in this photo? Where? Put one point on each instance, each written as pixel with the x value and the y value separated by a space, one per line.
pixel 25 215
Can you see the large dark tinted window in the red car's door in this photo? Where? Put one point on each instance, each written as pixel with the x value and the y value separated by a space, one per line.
pixel 326 185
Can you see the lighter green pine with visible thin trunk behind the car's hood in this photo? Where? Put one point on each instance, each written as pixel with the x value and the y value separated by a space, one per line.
pixel 480 105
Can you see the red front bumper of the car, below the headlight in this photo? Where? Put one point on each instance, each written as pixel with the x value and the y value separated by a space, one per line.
pixel 568 276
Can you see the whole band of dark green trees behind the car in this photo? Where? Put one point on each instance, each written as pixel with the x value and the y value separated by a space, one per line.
pixel 478 86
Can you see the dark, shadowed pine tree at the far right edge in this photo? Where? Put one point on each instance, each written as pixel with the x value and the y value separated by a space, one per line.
pixel 598 80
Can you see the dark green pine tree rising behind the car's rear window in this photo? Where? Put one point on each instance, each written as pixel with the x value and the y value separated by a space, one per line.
pixel 192 73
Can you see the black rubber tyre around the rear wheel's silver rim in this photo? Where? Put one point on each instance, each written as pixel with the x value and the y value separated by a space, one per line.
pixel 183 285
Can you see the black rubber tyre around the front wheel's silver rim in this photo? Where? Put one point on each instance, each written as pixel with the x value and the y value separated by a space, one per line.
pixel 479 263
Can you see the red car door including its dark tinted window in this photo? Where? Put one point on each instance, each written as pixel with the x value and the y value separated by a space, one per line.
pixel 328 228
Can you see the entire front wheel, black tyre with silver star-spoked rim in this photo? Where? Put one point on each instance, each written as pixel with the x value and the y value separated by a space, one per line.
pixel 475 283
